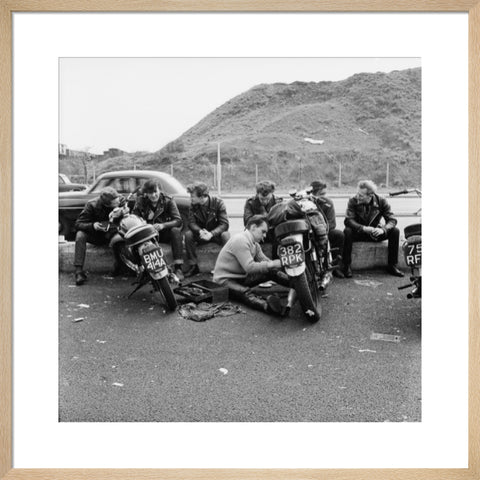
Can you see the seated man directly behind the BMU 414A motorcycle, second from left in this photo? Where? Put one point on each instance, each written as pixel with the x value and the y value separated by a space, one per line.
pixel 161 211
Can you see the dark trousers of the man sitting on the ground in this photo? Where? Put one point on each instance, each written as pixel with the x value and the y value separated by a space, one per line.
pixel 240 289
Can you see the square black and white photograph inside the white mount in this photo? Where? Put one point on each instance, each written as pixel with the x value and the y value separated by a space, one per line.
pixel 240 239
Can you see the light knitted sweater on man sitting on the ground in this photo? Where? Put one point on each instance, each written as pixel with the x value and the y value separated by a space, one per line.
pixel 240 256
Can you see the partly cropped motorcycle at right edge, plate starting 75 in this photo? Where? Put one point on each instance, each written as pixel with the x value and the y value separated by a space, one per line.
pixel 412 250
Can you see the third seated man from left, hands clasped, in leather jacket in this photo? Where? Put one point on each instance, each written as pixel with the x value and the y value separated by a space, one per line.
pixel 207 222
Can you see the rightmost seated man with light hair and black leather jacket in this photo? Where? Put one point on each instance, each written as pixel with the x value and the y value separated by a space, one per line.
pixel 365 212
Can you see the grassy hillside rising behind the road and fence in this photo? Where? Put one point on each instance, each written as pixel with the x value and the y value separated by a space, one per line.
pixel 362 123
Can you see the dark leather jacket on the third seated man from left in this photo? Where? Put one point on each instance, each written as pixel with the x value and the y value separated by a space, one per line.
pixel 212 216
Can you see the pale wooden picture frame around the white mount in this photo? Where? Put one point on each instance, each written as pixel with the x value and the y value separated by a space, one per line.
pixel 8 7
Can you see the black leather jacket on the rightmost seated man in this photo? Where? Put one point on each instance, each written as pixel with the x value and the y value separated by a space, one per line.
pixel 359 215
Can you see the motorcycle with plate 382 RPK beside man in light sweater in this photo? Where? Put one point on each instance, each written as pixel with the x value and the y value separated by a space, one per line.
pixel 304 252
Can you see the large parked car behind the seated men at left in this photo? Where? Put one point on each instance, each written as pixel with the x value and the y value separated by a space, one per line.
pixel 70 204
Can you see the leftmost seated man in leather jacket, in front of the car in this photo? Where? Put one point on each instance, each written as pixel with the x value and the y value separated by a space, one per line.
pixel 93 226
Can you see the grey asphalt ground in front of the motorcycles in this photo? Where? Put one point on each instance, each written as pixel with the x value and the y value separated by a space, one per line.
pixel 128 360
